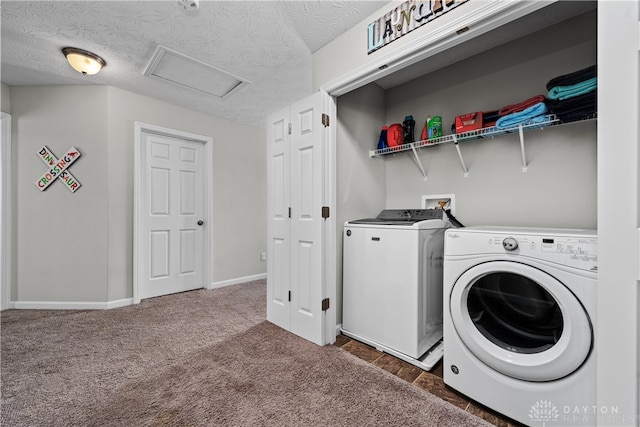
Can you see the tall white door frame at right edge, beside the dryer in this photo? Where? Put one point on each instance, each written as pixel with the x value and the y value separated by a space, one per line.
pixel 618 330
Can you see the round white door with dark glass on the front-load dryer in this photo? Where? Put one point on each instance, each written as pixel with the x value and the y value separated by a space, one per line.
pixel 520 321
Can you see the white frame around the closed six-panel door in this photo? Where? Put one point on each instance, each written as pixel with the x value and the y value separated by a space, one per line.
pixel 208 191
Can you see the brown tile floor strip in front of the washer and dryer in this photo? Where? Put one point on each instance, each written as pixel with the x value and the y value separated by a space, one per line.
pixel 430 381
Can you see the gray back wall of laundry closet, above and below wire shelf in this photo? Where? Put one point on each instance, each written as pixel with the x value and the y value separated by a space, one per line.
pixel 559 188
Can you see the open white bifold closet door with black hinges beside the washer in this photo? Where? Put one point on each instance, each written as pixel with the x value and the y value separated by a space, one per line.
pixel 297 140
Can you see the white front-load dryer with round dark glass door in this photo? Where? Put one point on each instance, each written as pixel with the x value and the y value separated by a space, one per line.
pixel 519 321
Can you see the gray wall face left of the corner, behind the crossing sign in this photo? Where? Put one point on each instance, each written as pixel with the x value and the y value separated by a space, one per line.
pixel 60 237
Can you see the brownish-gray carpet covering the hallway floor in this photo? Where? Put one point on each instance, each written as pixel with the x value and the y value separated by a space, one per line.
pixel 200 358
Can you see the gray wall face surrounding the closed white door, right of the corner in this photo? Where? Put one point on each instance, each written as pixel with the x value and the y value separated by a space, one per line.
pixel 239 187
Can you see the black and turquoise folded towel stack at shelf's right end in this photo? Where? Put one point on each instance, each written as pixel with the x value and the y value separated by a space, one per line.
pixel 573 96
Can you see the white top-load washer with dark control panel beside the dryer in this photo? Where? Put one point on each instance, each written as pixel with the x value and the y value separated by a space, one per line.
pixel 392 282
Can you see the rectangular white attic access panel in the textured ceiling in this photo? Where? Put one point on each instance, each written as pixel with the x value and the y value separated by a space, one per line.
pixel 177 68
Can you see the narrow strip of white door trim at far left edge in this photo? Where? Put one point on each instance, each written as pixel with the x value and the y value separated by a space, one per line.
pixel 5 213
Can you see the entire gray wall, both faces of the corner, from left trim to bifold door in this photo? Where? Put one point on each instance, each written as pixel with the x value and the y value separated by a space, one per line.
pixel 78 247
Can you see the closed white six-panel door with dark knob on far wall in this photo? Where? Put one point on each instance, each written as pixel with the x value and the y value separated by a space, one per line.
pixel 172 215
